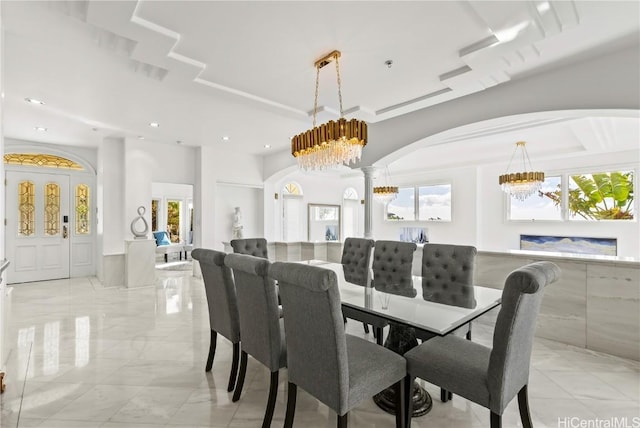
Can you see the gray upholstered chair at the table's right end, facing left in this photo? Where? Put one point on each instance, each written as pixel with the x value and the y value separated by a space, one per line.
pixel 490 377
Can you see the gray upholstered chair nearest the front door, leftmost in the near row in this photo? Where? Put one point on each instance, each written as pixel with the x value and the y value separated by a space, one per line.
pixel 223 306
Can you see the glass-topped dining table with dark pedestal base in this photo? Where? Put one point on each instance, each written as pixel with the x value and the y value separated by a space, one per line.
pixel 417 310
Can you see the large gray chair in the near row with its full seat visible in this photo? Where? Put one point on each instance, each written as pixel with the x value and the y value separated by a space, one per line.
pixel 339 369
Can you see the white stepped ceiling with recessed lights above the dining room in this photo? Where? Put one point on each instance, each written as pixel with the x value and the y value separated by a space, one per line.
pixel 205 70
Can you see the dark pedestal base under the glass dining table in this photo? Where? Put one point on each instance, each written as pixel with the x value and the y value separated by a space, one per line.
pixel 402 339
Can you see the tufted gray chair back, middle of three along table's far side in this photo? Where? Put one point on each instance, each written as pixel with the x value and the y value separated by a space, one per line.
pixel 392 261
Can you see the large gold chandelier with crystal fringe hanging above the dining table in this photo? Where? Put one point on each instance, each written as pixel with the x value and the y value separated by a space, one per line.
pixel 333 143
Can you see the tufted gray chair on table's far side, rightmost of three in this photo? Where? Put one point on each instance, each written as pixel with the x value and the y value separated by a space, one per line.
pixel 447 277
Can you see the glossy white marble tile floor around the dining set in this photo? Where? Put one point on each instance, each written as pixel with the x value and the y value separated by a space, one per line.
pixel 82 355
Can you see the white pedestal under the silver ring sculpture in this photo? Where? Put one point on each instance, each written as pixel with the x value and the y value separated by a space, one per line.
pixel 140 255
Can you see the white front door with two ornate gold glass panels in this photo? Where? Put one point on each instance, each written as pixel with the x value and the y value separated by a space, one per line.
pixel 37 226
